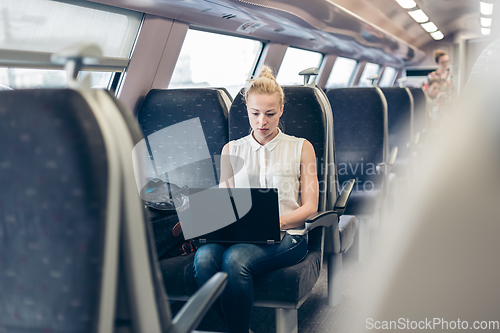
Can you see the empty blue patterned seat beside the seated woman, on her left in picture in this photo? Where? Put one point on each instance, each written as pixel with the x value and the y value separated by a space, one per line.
pixel 164 108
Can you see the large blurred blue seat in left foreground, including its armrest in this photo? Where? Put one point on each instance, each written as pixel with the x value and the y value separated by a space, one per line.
pixel 71 243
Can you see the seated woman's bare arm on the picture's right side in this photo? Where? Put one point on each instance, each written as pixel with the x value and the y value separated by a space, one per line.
pixel 309 190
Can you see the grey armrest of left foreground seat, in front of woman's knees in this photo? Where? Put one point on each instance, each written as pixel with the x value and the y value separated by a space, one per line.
pixel 188 318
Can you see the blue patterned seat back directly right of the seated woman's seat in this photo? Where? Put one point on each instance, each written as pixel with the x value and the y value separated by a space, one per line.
pixel 359 144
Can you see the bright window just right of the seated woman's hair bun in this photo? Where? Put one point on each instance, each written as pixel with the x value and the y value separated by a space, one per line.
pixel 296 60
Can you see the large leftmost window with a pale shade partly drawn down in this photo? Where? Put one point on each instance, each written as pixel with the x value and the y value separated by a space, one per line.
pixel 34 29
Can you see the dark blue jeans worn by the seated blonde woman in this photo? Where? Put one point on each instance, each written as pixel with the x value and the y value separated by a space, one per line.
pixel 242 262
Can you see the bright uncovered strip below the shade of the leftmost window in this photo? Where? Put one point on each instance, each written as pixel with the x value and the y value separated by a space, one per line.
pixel 18 78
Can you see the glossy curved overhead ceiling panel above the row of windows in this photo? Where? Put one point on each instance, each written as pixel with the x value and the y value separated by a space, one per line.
pixel 372 30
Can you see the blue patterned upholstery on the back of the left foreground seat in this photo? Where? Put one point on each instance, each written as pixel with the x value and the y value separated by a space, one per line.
pixel 52 201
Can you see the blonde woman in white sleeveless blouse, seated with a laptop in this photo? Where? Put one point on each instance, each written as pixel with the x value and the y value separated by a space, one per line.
pixel 272 160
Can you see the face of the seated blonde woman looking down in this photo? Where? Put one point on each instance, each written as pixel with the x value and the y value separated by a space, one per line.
pixel 264 112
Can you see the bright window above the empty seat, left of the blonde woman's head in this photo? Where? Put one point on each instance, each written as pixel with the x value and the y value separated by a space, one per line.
pixel 229 67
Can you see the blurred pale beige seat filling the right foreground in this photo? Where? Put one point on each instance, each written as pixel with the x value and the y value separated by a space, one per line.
pixel 442 262
